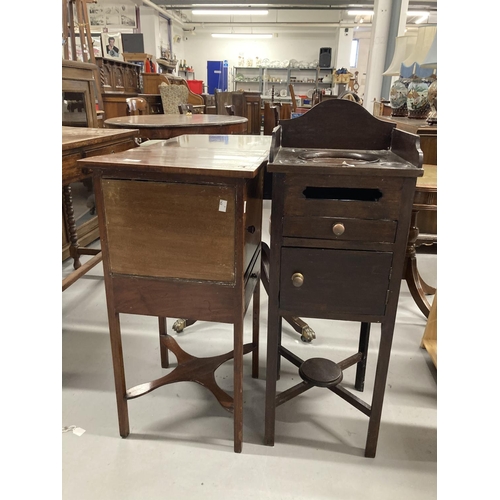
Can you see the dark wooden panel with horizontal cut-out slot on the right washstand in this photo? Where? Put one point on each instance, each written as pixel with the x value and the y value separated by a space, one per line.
pixel 363 197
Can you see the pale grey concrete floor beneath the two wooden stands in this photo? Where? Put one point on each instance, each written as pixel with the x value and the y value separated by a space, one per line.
pixel 181 440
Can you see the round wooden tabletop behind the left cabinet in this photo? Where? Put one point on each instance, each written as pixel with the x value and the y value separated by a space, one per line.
pixel 164 126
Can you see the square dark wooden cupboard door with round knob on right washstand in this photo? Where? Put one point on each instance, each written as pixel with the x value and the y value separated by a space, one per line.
pixel 342 282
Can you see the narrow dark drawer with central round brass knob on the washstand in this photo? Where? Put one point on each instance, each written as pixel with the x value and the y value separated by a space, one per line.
pixel 340 229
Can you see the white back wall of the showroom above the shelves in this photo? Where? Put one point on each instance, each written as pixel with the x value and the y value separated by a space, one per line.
pixel 302 44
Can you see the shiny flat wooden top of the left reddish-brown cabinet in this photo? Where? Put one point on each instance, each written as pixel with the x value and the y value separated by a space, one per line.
pixel 209 155
